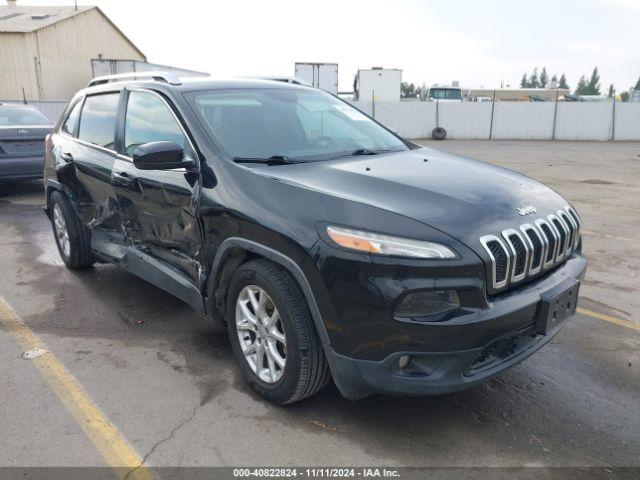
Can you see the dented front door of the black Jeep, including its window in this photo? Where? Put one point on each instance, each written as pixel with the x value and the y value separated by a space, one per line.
pixel 159 207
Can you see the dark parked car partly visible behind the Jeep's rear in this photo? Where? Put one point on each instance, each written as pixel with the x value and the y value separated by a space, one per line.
pixel 22 132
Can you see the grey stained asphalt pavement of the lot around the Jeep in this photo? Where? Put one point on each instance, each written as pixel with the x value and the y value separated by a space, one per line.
pixel 164 380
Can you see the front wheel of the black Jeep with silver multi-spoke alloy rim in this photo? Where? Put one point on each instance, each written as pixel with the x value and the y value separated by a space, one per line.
pixel 272 334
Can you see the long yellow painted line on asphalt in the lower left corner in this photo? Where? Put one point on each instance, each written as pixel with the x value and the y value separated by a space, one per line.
pixel 115 450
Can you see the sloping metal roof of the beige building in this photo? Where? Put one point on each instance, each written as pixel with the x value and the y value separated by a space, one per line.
pixel 24 19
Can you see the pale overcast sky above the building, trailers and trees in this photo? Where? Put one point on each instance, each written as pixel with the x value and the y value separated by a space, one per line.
pixel 478 43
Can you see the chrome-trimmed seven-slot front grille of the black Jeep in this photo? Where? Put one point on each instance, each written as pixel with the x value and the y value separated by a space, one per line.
pixel 532 248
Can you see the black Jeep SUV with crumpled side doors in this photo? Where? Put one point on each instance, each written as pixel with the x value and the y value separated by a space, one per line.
pixel 329 245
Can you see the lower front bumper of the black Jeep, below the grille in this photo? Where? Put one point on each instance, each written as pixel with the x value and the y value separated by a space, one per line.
pixel 500 336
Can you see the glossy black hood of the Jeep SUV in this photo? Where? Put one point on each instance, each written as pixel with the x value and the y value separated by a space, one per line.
pixel 462 197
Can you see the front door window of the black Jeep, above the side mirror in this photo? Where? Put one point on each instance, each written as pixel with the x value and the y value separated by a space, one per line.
pixel 149 119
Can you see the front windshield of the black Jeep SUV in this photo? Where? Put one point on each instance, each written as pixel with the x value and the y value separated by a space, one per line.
pixel 300 124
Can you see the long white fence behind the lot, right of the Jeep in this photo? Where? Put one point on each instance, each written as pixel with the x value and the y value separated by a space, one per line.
pixel 510 120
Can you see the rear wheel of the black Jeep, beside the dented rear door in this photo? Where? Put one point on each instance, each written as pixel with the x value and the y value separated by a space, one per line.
pixel 73 238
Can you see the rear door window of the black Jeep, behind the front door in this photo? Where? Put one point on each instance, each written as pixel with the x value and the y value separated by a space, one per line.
pixel 98 119
